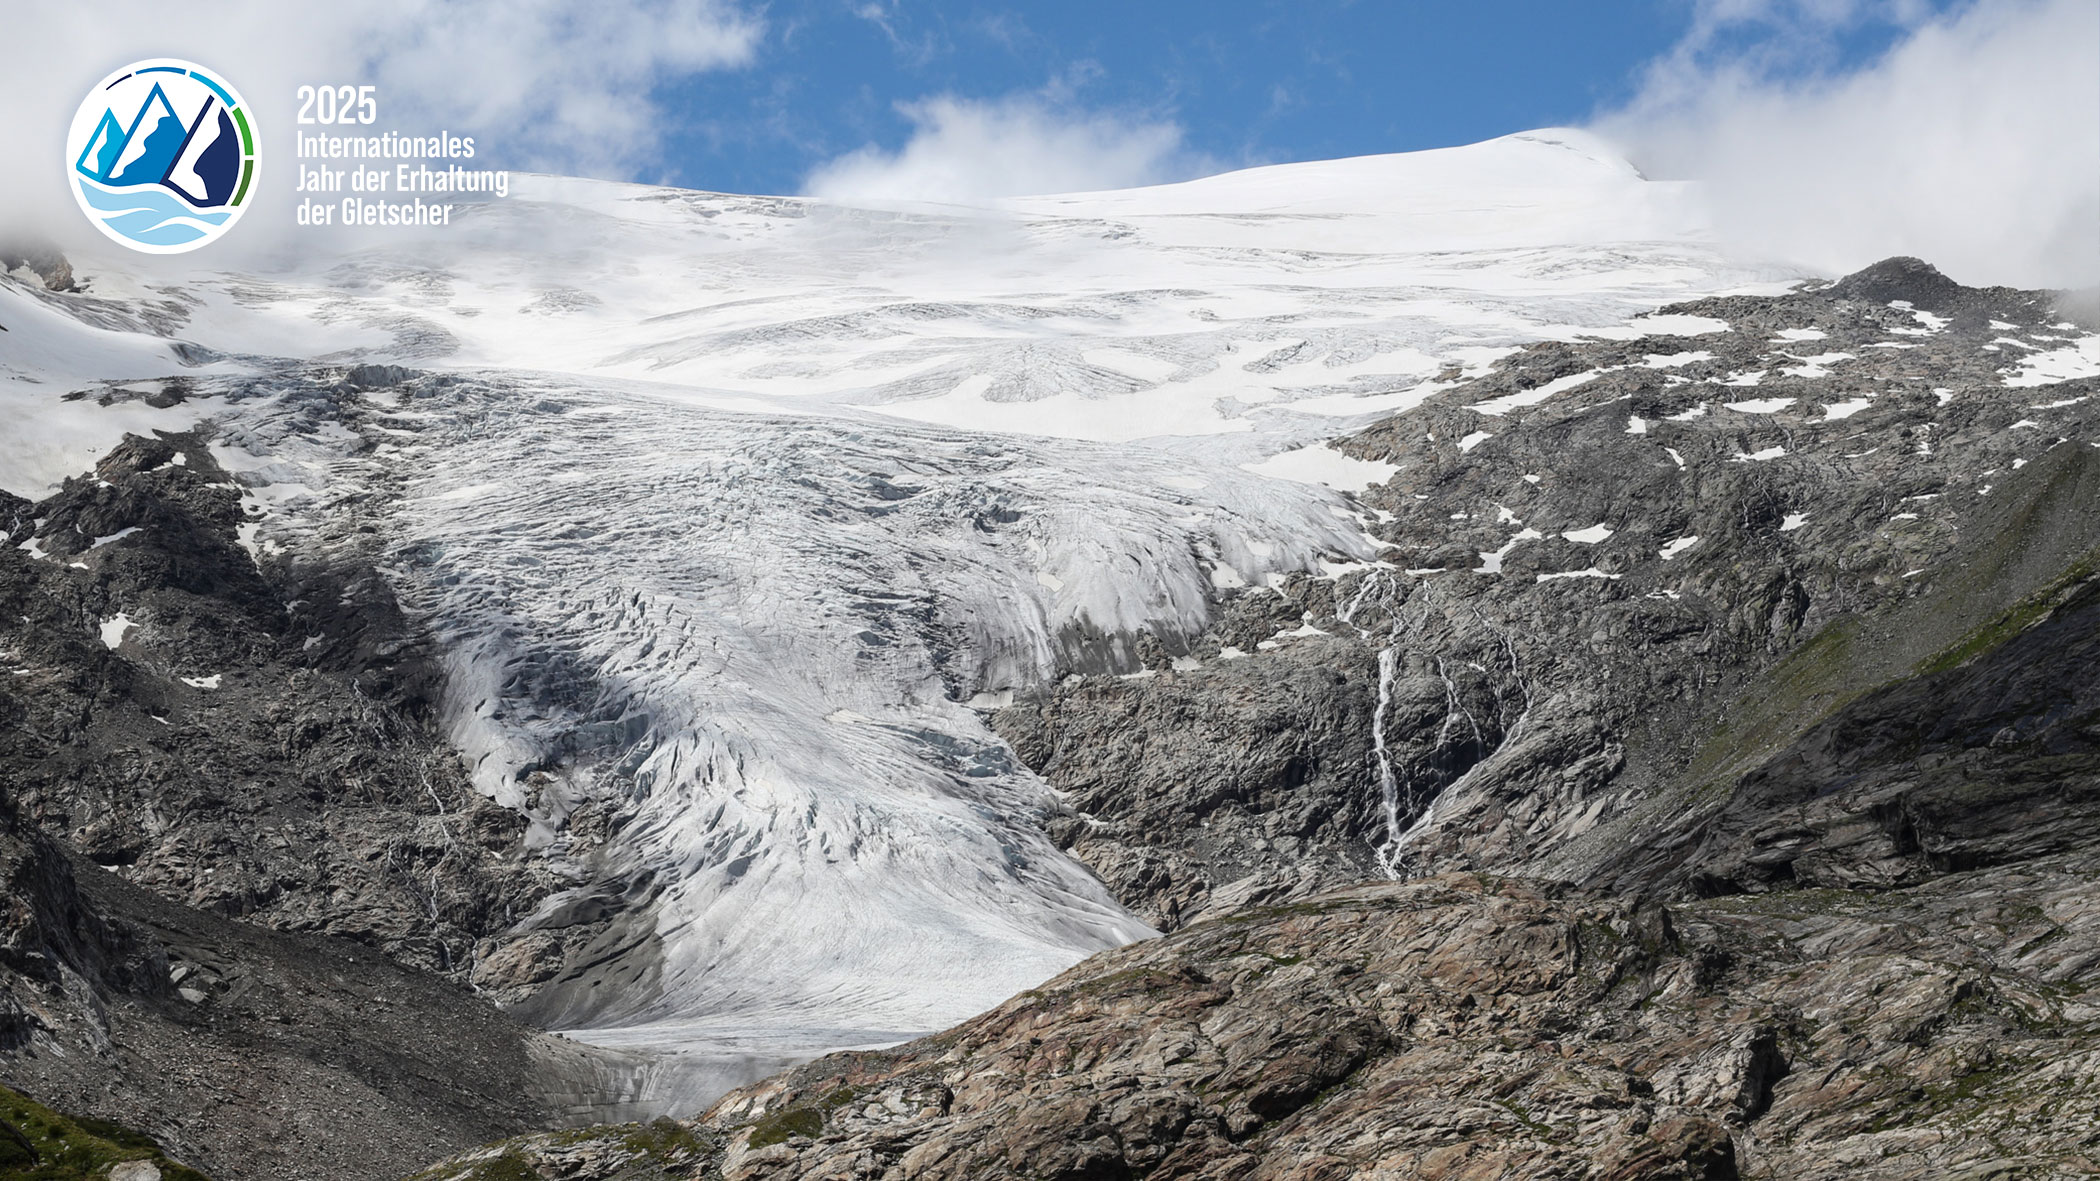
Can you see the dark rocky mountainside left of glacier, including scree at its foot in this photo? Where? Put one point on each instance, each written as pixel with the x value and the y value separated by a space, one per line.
pixel 238 861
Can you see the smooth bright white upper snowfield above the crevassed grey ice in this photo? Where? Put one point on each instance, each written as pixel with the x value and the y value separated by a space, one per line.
pixel 1272 299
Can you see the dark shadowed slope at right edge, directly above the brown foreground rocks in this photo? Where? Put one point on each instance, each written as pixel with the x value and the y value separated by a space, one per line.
pixel 1988 758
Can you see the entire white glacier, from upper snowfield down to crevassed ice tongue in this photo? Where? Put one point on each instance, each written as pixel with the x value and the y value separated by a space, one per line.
pixel 730 510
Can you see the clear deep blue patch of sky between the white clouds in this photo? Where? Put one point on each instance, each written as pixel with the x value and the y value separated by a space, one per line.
pixel 1242 81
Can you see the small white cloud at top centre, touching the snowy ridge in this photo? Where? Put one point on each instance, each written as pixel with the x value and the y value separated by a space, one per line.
pixel 967 150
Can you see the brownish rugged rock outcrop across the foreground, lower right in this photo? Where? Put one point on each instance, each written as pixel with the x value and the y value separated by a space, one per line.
pixel 1465 1027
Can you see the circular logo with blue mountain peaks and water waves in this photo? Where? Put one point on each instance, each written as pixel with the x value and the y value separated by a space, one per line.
pixel 163 157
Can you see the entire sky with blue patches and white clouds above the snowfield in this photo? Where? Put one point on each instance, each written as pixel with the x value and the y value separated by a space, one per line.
pixel 1822 131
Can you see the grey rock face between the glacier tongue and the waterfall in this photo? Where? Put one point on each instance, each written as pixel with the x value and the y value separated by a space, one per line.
pixel 1202 791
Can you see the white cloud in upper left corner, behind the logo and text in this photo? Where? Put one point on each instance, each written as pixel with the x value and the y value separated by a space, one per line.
pixel 551 85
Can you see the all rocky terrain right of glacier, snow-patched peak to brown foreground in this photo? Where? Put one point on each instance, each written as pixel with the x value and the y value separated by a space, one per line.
pixel 1734 722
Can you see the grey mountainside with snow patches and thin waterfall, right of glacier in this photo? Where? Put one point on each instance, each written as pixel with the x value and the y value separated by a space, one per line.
pixel 1620 577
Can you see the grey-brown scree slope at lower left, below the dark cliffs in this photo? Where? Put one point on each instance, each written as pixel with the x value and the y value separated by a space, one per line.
pixel 270 1056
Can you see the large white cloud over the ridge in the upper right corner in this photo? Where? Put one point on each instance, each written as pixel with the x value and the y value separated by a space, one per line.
pixel 1973 144
